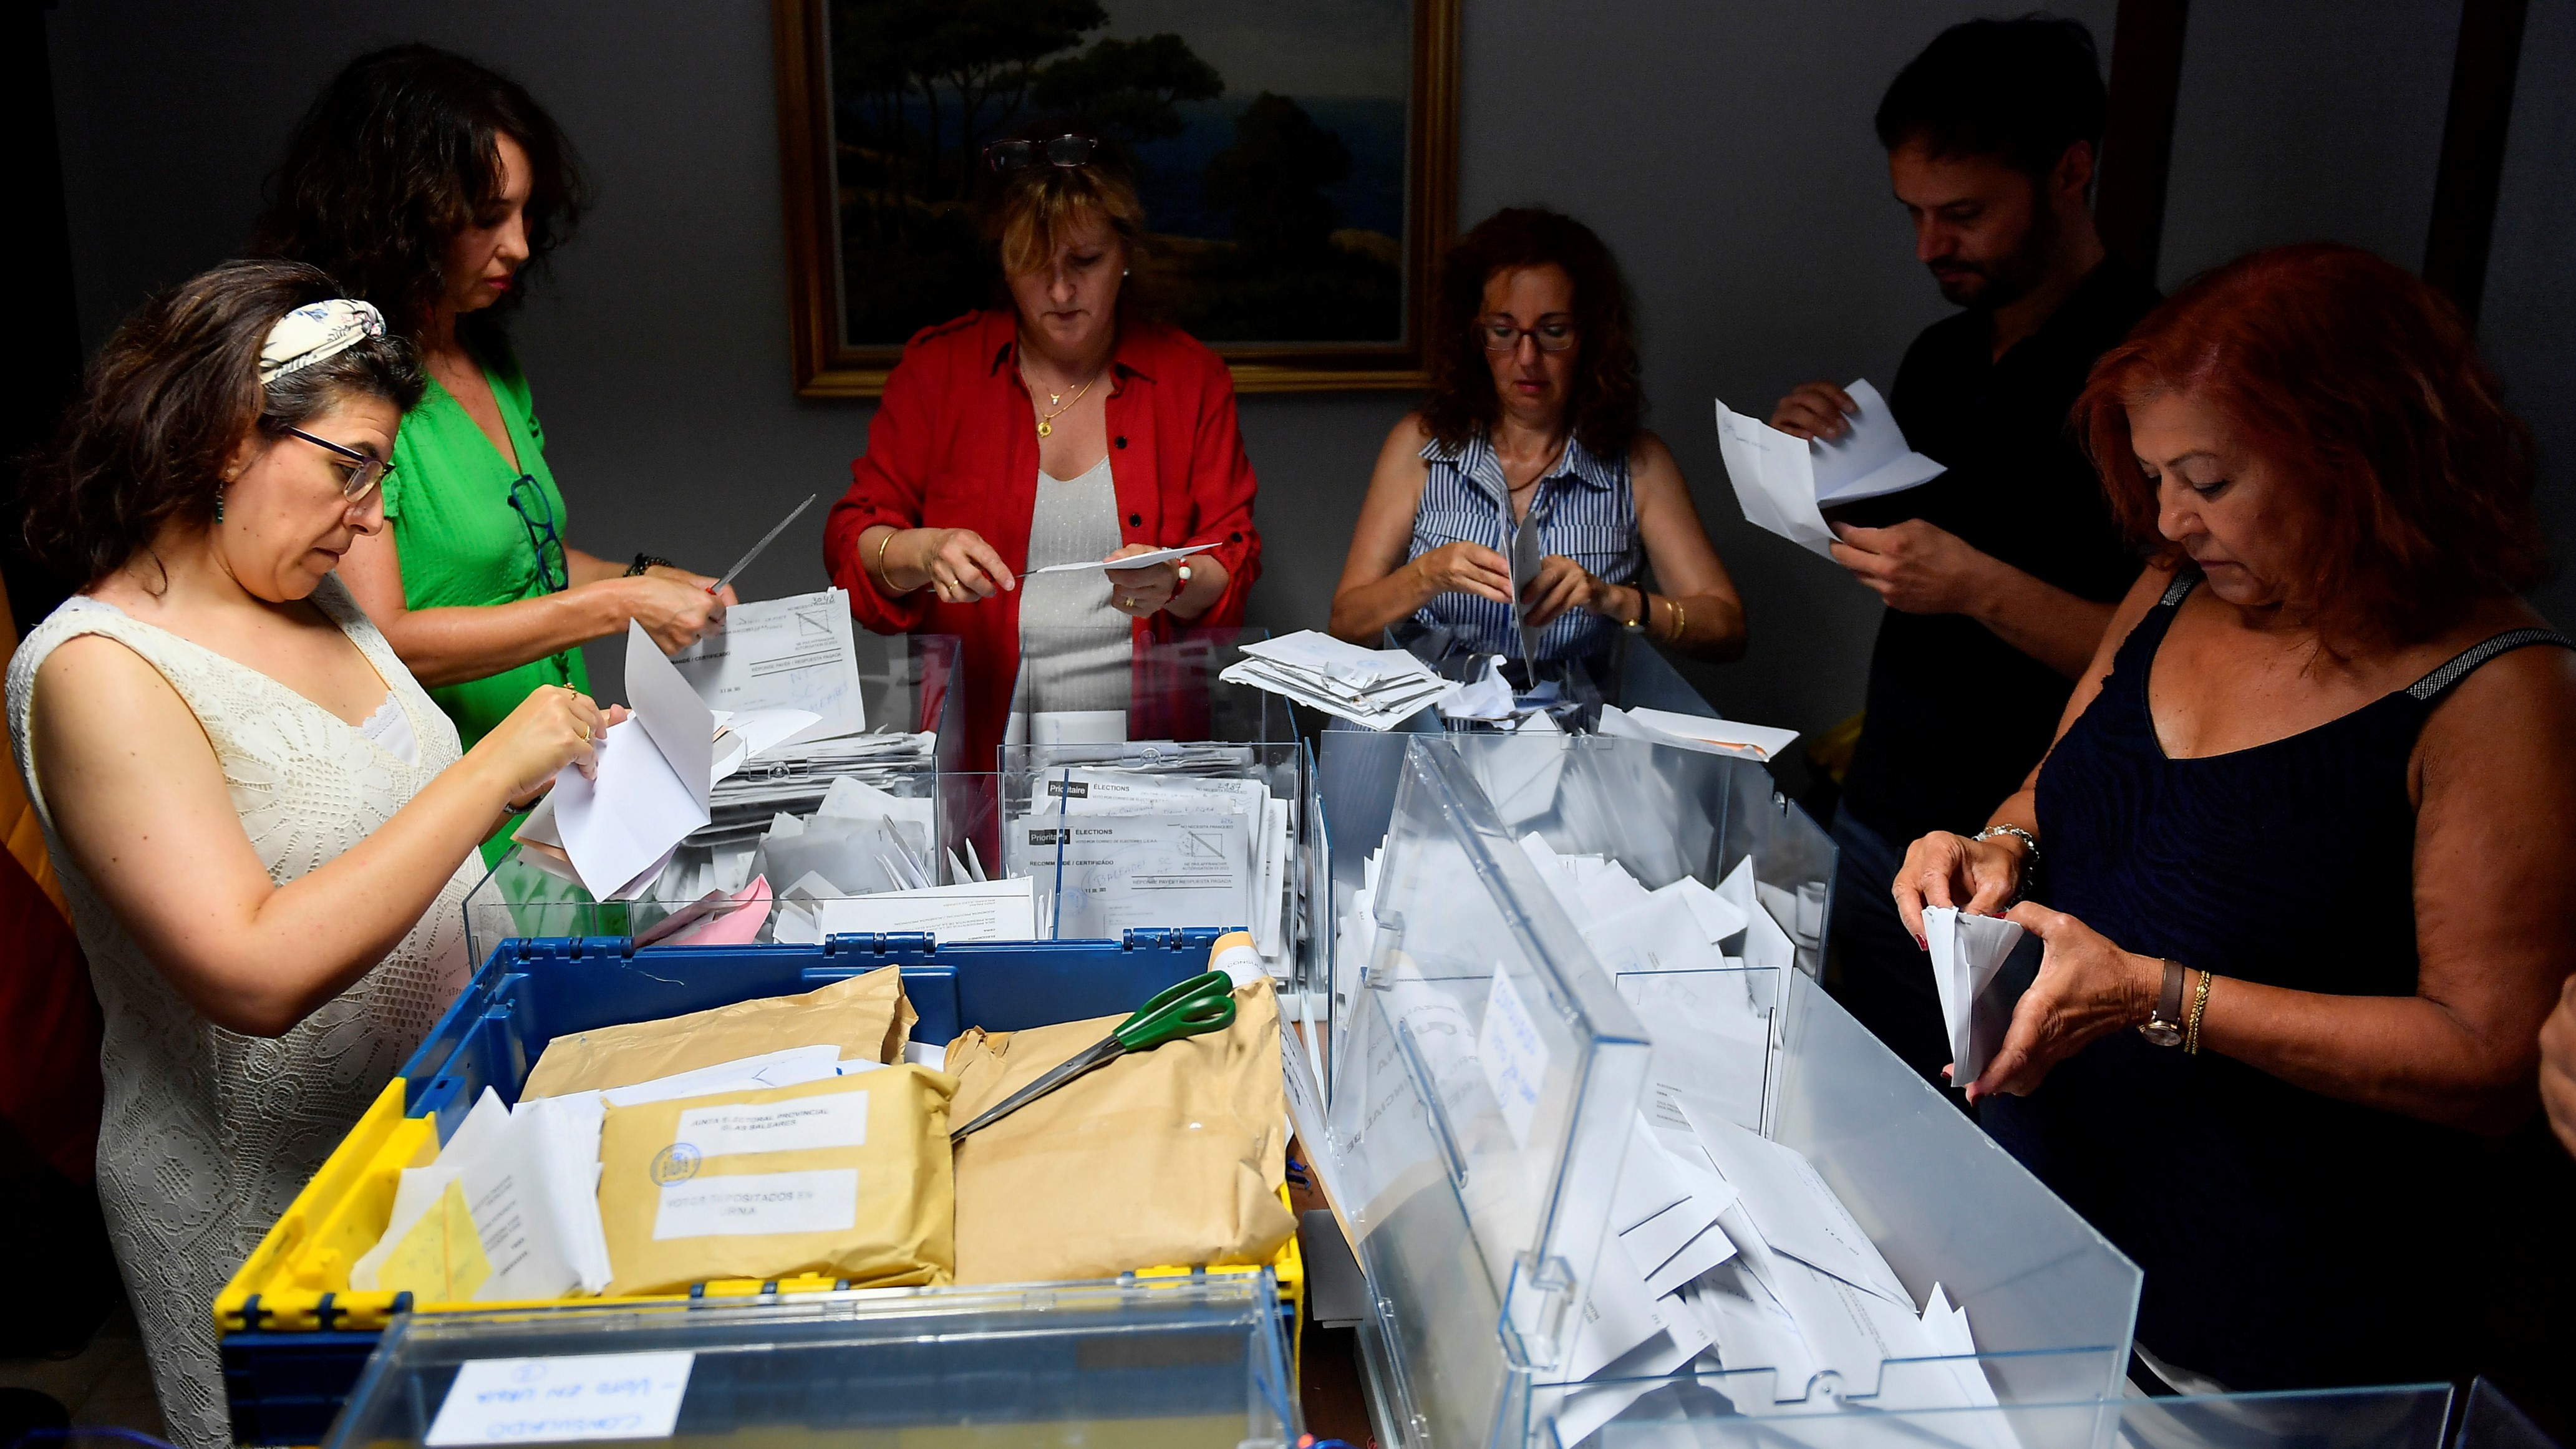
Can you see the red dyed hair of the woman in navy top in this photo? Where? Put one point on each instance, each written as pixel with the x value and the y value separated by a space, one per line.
pixel 2363 391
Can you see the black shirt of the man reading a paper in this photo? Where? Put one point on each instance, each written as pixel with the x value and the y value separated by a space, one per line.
pixel 1956 715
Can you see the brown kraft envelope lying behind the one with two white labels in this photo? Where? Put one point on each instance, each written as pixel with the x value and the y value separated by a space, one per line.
pixel 867 1017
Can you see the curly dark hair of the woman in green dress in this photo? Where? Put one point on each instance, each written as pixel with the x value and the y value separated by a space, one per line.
pixel 398 156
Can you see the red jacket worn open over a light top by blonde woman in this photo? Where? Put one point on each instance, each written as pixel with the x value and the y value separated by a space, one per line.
pixel 954 447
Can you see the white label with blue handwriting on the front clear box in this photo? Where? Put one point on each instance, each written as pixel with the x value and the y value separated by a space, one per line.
pixel 553 1401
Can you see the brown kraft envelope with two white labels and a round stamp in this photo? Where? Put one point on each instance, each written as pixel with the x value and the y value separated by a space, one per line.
pixel 846 1177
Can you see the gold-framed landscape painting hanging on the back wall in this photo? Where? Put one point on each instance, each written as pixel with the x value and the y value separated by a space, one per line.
pixel 1297 166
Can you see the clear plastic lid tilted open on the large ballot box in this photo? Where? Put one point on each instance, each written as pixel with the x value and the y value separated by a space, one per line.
pixel 1482 1100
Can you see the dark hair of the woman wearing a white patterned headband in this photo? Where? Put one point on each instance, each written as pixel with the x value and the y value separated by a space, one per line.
pixel 174 396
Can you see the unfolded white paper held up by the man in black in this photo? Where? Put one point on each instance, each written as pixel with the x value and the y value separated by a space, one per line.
pixel 1786 483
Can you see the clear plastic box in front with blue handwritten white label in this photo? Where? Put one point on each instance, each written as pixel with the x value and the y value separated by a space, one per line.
pixel 1155 1363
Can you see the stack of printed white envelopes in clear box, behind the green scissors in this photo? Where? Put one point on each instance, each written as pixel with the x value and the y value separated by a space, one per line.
pixel 1122 850
